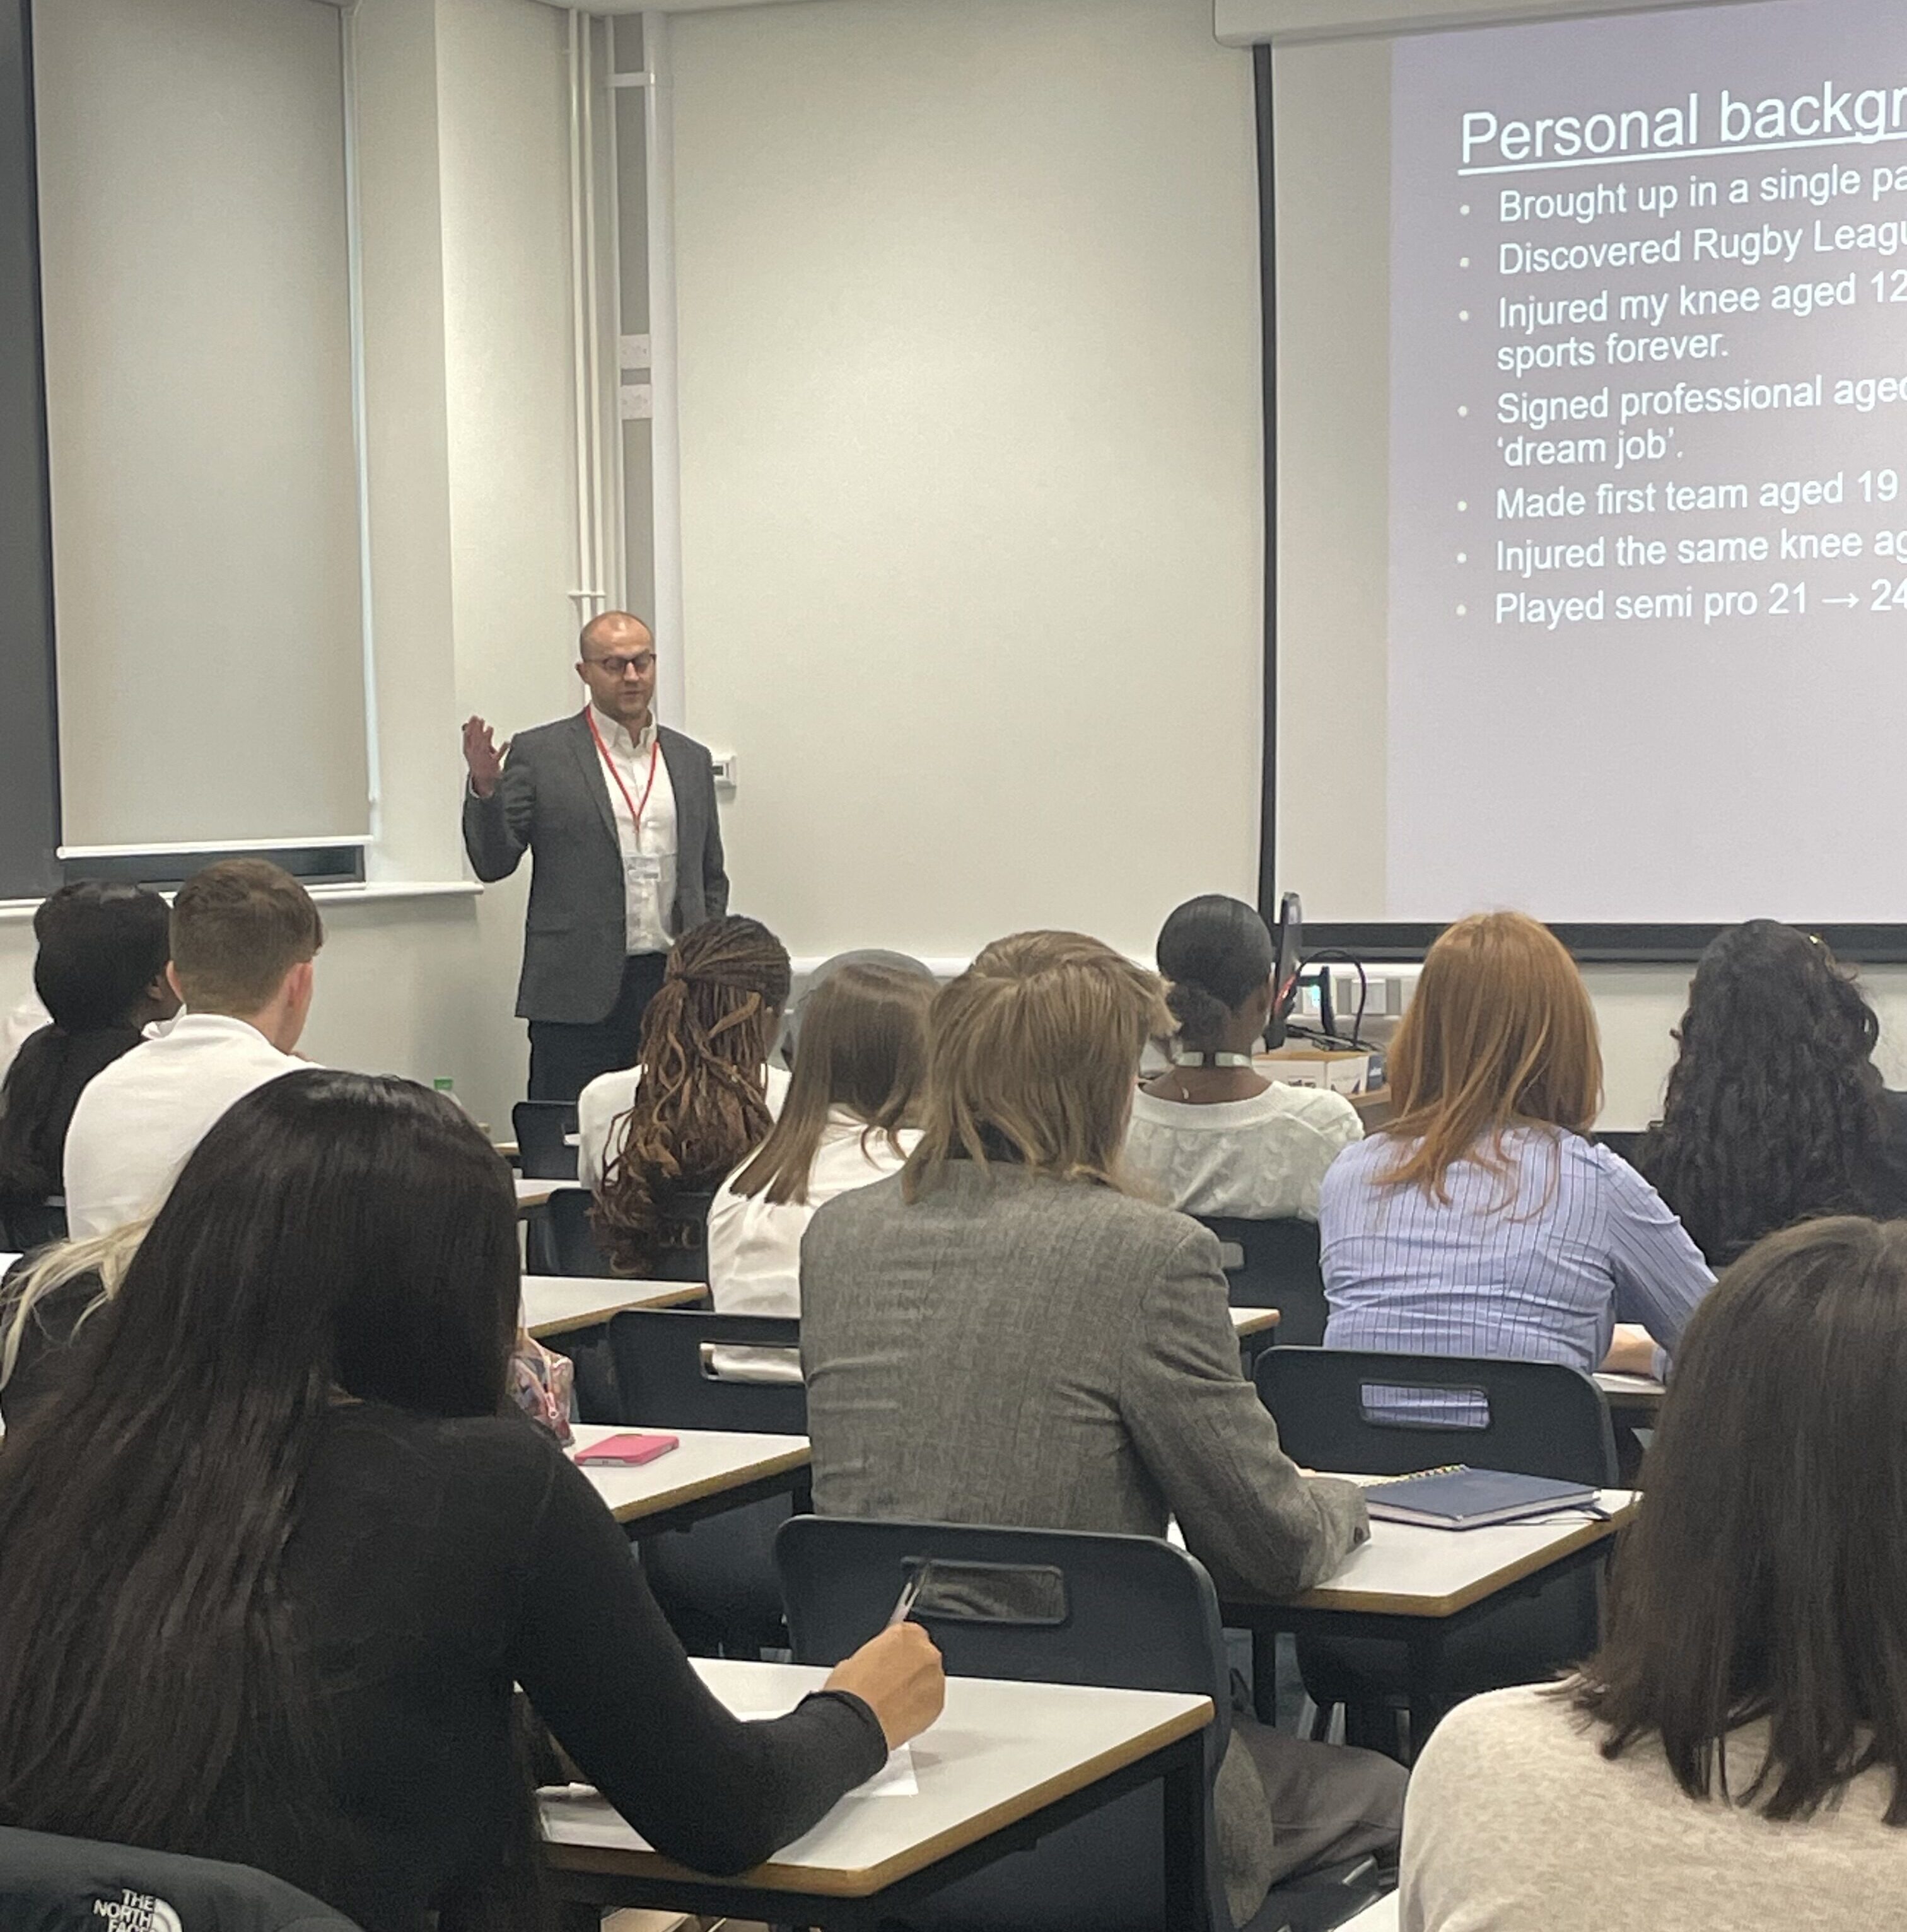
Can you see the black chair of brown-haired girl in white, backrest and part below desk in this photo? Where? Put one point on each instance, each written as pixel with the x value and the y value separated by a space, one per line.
pixel 716 1579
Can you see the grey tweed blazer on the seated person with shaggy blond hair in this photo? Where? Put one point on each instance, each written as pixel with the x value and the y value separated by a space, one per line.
pixel 1046 1353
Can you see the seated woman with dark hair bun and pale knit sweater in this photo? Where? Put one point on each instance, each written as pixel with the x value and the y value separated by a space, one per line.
pixel 1212 1135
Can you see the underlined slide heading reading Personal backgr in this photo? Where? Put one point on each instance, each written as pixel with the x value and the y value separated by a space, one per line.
pixel 1829 117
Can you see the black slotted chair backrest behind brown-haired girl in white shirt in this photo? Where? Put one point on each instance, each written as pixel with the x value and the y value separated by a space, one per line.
pixel 664 1377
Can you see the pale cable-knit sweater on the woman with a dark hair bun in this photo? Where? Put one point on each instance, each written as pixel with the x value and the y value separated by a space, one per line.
pixel 1261 1158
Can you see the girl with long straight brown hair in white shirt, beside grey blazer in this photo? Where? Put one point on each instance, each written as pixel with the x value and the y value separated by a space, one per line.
pixel 847 1123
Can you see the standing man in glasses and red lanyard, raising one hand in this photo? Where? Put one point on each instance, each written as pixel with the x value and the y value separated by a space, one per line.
pixel 629 857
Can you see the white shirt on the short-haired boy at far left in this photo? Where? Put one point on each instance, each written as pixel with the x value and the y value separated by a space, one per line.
pixel 140 1118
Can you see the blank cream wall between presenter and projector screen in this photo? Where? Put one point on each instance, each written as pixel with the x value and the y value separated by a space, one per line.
pixel 971 461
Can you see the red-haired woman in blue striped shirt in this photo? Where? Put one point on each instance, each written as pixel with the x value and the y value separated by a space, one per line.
pixel 1481 1222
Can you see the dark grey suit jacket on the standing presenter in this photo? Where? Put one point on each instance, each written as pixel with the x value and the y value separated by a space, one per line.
pixel 554 803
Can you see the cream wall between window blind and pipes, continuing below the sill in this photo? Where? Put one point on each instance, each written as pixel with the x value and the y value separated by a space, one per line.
pixel 463 150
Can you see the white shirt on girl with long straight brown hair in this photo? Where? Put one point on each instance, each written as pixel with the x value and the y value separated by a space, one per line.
pixel 756 1245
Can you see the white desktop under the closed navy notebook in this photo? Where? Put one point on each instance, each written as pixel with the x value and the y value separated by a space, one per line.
pixel 1409 1572
